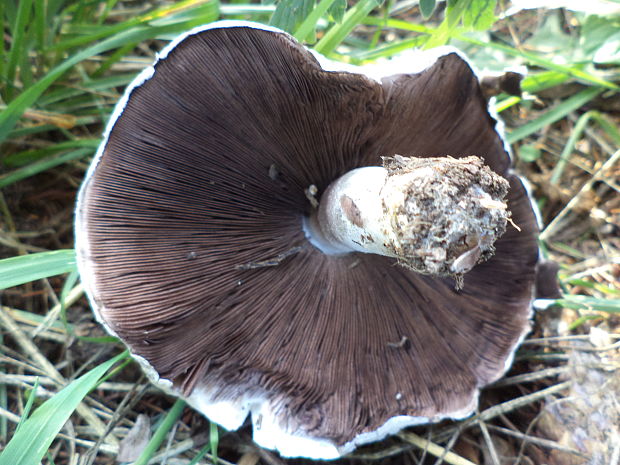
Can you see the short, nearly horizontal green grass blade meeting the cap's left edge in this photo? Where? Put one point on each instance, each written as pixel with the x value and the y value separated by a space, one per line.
pixel 20 270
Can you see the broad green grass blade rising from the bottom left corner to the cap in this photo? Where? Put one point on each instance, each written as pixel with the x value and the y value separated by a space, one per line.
pixel 31 442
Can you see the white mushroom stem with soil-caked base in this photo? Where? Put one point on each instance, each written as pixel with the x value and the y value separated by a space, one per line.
pixel 437 216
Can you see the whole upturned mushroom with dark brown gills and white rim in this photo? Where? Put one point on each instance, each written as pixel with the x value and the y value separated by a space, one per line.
pixel 235 231
